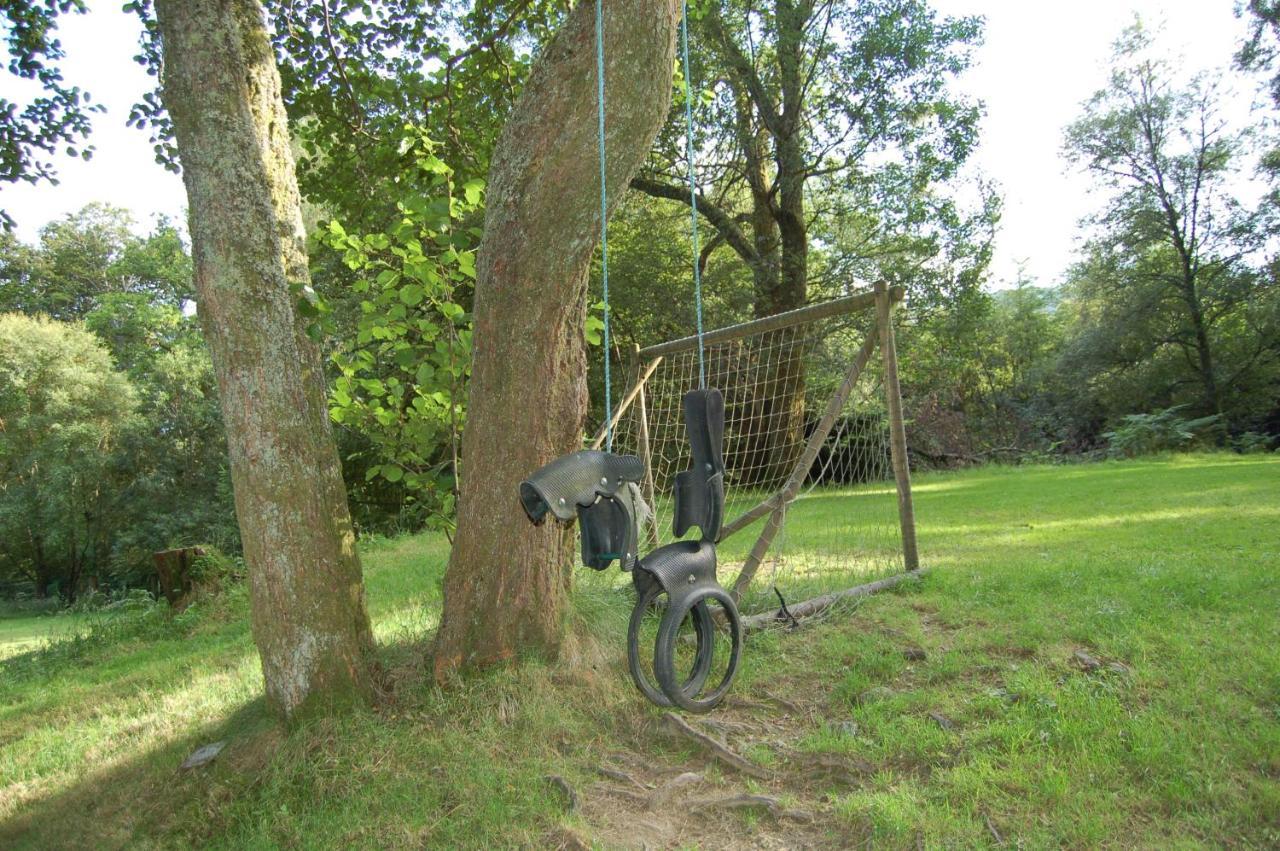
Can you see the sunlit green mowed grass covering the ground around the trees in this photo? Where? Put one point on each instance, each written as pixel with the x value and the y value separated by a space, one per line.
pixel 1163 571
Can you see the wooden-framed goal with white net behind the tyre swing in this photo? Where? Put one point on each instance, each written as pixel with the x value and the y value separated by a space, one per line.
pixel 812 500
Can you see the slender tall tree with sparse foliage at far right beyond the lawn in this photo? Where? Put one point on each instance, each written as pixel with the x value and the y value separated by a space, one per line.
pixel 1171 240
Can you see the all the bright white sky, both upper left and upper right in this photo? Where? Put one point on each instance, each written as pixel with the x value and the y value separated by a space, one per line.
pixel 1040 62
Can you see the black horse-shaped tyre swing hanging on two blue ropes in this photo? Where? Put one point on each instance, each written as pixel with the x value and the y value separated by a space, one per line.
pixel 602 489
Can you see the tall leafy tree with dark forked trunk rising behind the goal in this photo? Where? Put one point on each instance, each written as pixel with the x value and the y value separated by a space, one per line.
pixel 801 91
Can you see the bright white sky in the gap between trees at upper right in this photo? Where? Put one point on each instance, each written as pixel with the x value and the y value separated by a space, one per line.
pixel 1040 62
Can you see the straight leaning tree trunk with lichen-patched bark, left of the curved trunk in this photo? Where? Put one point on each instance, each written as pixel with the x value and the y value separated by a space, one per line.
pixel 223 91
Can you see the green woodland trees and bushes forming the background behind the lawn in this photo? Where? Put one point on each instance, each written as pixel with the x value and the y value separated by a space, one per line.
pixel 815 182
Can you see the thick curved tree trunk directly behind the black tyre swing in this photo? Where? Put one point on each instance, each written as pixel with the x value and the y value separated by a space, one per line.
pixel 508 585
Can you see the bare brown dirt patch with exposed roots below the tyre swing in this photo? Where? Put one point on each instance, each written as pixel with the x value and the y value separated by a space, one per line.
pixel 733 780
